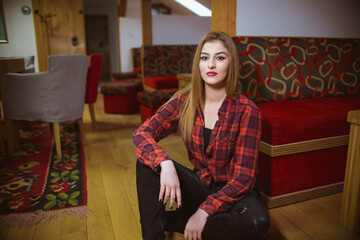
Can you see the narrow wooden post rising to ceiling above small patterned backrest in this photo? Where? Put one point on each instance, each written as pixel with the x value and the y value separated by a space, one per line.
pixel 146 22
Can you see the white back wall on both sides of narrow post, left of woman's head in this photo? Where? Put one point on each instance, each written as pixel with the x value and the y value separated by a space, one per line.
pixel 167 29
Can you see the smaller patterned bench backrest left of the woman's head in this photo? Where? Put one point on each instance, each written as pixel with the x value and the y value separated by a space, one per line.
pixel 167 60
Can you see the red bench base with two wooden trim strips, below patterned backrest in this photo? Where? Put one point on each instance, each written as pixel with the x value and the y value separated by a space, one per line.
pixel 303 146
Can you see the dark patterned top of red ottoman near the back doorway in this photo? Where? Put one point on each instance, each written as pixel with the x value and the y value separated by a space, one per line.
pixel 122 88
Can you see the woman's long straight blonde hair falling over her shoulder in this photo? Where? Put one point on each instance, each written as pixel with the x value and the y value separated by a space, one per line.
pixel 196 95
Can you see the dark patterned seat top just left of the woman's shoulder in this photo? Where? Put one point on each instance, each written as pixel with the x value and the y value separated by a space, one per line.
pixel 156 98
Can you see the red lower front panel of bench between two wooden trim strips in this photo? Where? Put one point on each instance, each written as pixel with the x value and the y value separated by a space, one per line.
pixel 292 173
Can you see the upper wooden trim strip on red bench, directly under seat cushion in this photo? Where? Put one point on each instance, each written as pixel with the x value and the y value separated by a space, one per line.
pixel 304 146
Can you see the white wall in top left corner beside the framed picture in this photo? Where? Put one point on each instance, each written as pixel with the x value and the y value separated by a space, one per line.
pixel 20 31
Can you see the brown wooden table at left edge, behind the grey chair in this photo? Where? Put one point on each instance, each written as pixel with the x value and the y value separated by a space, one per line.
pixel 14 65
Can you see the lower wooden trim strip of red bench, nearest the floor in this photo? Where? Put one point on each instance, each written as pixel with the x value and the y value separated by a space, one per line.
pixel 285 199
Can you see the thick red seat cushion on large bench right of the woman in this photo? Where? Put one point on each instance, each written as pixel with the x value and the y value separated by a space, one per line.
pixel 305 119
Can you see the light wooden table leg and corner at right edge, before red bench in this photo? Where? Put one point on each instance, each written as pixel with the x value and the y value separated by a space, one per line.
pixel 350 207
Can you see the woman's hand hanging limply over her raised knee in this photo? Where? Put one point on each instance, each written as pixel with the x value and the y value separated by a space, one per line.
pixel 169 184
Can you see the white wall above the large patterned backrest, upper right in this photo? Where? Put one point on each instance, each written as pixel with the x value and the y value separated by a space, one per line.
pixel 307 18
